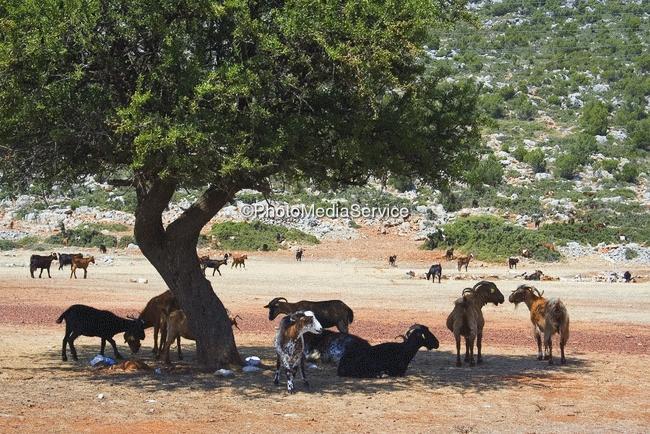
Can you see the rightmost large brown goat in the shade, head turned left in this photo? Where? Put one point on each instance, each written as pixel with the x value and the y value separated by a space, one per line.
pixel 548 317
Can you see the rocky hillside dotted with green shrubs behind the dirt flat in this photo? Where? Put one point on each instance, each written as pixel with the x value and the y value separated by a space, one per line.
pixel 566 102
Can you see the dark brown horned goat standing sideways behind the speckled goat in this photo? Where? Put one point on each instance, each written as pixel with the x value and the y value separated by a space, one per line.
pixel 329 313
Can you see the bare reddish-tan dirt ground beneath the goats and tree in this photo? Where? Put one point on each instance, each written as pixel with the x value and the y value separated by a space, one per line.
pixel 602 388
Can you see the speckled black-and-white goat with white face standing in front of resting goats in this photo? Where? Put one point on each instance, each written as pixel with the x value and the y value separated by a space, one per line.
pixel 290 345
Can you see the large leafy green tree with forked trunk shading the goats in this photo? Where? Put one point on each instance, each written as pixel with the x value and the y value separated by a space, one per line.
pixel 221 95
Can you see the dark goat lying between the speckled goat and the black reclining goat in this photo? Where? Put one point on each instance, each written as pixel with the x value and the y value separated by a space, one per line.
pixel 329 346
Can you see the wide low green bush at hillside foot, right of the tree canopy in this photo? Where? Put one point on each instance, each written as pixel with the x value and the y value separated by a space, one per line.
pixel 492 239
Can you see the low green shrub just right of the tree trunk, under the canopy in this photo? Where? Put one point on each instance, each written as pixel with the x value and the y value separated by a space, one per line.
pixel 257 235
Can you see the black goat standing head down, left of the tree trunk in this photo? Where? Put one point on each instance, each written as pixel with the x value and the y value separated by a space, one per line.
pixel 81 320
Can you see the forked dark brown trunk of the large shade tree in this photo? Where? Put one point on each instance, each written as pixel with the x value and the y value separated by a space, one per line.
pixel 172 251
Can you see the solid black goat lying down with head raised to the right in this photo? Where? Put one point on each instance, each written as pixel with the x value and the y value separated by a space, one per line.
pixel 390 358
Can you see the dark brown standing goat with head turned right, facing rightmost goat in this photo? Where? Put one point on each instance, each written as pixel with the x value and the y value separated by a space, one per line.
pixel 467 318
